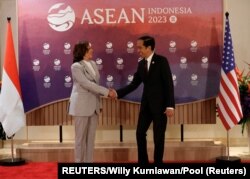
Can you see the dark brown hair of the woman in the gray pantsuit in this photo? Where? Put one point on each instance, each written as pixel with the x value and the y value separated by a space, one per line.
pixel 80 50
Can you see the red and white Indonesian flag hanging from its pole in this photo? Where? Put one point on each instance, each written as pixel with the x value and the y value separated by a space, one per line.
pixel 12 114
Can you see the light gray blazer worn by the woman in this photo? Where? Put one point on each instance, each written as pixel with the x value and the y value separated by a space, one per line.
pixel 86 91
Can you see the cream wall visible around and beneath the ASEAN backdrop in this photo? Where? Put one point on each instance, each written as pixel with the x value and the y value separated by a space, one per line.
pixel 240 28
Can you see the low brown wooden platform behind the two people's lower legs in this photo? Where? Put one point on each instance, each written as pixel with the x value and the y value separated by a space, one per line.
pixel 121 151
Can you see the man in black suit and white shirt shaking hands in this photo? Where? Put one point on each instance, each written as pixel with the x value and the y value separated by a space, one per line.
pixel 157 102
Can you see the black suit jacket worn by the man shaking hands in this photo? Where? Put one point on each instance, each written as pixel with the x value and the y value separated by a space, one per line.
pixel 158 91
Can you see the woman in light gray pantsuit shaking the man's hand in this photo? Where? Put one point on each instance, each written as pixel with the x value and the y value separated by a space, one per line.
pixel 85 101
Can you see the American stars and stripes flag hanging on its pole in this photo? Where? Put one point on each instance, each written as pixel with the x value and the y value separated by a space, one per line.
pixel 229 107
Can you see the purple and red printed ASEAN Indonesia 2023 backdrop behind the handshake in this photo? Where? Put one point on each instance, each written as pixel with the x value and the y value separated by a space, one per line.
pixel 188 33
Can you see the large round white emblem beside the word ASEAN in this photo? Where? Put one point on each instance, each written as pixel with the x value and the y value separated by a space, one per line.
pixel 61 17
